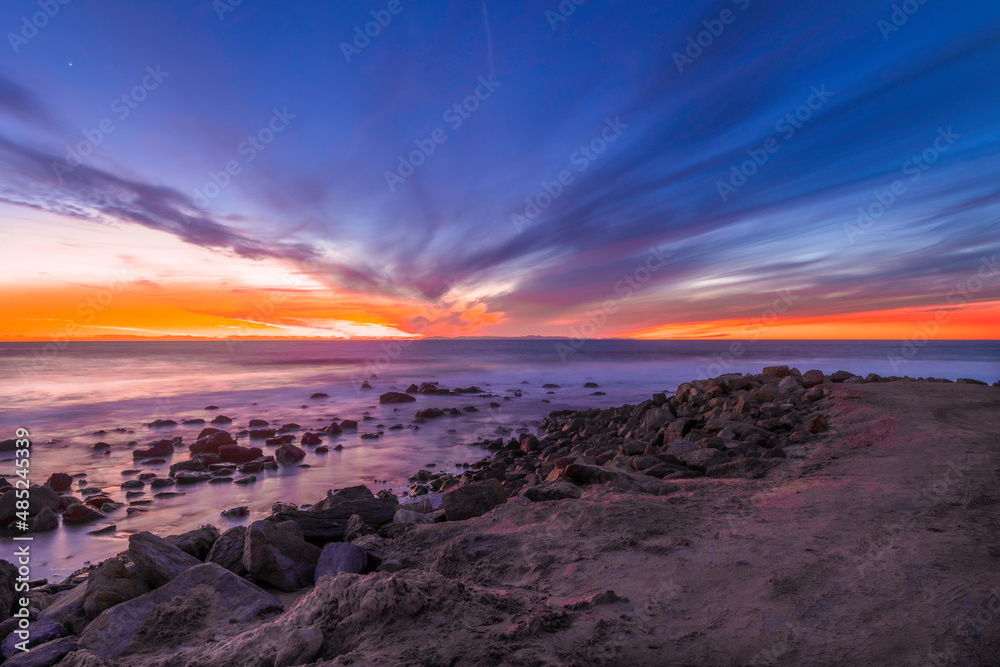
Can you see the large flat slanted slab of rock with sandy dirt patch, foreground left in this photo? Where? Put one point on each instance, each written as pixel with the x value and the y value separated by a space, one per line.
pixel 206 600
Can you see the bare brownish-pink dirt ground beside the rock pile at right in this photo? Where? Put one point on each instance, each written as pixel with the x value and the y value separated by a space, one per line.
pixel 876 545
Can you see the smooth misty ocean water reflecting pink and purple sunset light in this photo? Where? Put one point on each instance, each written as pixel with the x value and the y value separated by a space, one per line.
pixel 63 394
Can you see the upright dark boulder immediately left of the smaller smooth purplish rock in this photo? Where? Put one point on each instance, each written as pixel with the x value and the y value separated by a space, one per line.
pixel 277 553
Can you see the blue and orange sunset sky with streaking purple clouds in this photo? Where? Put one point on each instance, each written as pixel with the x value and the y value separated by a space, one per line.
pixel 589 168
